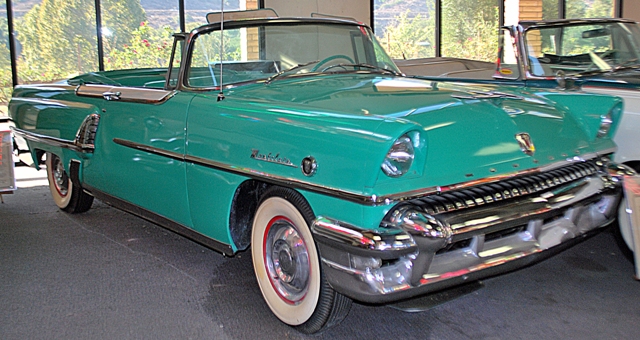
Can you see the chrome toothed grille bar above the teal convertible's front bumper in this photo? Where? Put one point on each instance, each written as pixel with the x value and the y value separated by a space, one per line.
pixel 505 189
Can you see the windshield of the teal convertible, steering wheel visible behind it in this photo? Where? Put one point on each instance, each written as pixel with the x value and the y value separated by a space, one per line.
pixel 277 50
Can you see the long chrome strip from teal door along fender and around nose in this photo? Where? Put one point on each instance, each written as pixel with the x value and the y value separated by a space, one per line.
pixel 372 200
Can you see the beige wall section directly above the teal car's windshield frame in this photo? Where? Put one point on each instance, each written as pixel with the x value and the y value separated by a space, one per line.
pixel 357 9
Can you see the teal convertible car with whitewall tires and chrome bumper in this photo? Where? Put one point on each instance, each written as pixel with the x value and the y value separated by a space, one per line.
pixel 300 140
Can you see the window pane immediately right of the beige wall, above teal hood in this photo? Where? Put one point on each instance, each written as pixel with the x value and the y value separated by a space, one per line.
pixel 406 29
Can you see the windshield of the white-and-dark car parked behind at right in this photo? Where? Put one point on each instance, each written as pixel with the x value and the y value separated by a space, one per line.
pixel 584 48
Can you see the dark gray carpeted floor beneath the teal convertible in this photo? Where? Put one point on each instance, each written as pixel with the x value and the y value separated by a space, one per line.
pixel 108 275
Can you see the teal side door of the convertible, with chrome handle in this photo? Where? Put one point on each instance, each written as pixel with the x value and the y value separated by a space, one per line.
pixel 139 148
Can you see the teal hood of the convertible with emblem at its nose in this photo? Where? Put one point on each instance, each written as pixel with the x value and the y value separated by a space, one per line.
pixel 470 132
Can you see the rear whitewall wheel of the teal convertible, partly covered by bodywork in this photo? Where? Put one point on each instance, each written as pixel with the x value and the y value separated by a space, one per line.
pixel 68 197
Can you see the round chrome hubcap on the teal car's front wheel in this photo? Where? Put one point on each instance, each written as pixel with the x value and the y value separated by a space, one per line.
pixel 287 261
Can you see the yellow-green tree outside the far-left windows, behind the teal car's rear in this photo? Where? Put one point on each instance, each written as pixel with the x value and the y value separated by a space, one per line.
pixel 58 37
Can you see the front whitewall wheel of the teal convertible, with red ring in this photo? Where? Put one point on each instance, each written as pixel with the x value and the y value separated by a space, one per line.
pixel 287 265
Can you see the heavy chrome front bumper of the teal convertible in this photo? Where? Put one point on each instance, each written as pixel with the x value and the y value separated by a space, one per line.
pixel 420 249
